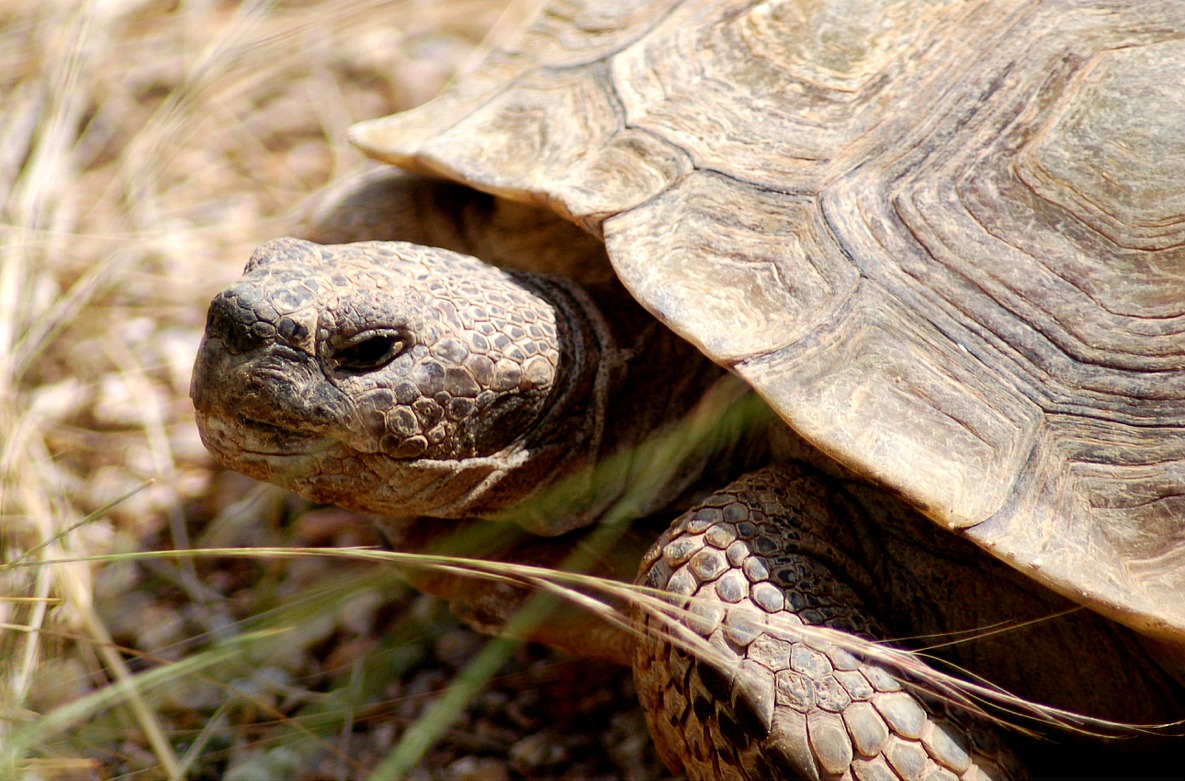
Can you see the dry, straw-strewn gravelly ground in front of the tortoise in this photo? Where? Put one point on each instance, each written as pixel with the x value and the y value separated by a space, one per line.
pixel 145 149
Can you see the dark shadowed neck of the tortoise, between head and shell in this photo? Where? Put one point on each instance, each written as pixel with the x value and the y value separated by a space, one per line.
pixel 627 420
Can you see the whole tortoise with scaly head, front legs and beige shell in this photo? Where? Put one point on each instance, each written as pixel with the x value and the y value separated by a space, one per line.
pixel 944 241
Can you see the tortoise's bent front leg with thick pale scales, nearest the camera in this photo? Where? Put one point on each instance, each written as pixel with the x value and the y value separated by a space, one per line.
pixel 784 707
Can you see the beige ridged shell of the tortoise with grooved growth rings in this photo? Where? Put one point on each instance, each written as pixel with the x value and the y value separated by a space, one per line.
pixel 945 240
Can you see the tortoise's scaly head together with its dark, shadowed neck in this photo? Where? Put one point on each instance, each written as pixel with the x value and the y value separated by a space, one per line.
pixel 406 381
